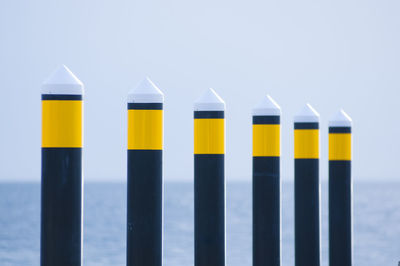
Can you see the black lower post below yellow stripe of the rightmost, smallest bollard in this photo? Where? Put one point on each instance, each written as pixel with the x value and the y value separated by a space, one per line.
pixel 340 238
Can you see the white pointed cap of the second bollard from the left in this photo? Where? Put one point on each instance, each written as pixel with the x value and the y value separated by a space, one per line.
pixel 146 92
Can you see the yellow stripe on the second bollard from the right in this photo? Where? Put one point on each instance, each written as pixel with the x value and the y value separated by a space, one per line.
pixel 306 144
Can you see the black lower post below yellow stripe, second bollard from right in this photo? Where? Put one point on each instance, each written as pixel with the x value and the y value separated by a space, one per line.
pixel 307 216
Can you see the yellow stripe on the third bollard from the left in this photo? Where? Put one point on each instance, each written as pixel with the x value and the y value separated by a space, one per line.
pixel 209 136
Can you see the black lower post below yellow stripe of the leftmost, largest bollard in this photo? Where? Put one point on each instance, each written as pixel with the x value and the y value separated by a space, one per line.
pixel 61 207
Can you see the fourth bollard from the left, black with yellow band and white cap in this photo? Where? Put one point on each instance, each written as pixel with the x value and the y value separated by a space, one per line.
pixel 266 184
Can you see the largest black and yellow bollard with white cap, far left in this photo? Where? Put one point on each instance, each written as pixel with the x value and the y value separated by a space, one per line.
pixel 61 195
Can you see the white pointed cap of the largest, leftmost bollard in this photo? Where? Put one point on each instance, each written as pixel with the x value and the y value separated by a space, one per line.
pixel 62 81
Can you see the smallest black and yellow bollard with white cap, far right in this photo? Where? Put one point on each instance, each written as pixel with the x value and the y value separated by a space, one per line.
pixel 340 190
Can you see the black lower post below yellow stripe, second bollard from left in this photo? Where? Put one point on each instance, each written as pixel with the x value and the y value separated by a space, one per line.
pixel 144 218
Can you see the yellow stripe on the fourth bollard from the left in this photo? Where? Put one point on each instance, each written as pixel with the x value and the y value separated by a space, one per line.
pixel 266 140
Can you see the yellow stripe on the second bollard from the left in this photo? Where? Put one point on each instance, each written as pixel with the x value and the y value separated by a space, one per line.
pixel 145 129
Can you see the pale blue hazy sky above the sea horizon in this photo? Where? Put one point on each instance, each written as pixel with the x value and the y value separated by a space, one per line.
pixel 331 54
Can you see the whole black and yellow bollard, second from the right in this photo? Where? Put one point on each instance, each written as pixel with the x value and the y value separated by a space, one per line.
pixel 307 188
